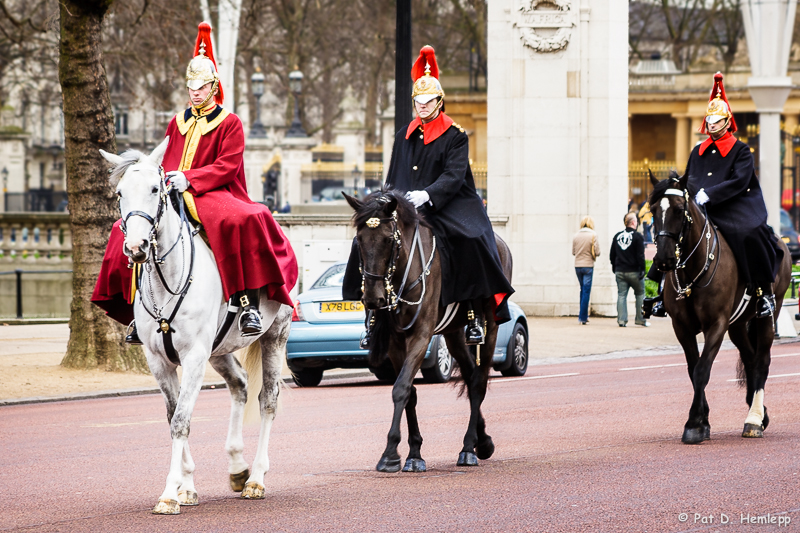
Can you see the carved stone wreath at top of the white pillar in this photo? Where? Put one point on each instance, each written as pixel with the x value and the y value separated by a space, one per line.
pixel 530 18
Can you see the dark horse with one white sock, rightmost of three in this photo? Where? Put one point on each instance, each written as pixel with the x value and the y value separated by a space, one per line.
pixel 703 292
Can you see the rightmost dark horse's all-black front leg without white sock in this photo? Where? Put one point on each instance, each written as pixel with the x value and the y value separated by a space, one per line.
pixel 695 429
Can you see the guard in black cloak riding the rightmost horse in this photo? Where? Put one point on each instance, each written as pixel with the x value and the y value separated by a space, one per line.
pixel 722 178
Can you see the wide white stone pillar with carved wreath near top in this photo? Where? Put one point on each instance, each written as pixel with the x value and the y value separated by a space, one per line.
pixel 558 141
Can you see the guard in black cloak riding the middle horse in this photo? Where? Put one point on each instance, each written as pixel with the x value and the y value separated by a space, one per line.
pixel 430 162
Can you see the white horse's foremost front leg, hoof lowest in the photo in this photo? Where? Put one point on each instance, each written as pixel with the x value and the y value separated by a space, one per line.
pixel 194 367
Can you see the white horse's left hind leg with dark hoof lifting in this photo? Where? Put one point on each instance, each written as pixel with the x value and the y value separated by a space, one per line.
pixel 234 375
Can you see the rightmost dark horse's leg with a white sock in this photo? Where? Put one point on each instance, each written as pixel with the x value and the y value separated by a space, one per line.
pixel 762 333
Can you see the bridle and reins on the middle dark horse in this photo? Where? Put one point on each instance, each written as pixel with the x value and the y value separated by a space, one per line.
pixel 395 298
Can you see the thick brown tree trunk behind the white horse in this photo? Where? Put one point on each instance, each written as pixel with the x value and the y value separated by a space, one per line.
pixel 95 340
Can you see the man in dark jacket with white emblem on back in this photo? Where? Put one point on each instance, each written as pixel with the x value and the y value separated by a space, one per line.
pixel 627 263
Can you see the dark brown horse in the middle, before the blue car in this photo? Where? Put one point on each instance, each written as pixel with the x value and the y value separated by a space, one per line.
pixel 401 276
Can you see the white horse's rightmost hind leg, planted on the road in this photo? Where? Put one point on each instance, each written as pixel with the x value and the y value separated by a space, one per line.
pixel 273 344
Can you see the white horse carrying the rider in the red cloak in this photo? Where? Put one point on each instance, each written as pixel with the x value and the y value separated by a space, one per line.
pixel 157 238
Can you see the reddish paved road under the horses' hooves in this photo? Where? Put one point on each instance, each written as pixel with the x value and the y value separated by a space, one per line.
pixel 581 446
